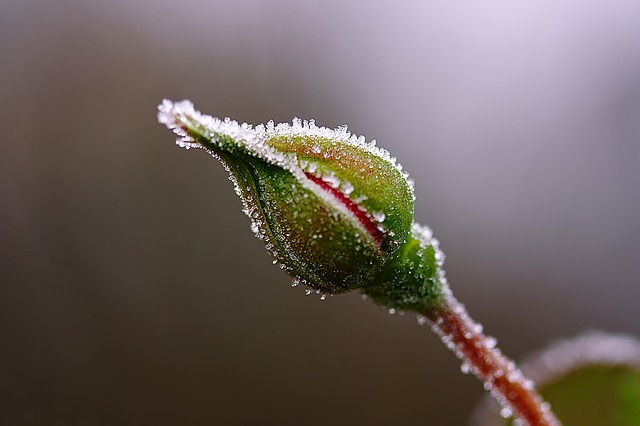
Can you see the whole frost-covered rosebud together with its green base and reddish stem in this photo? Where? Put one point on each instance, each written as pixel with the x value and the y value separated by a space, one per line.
pixel 337 213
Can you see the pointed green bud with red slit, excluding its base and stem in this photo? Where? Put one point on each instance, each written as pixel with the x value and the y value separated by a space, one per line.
pixel 331 208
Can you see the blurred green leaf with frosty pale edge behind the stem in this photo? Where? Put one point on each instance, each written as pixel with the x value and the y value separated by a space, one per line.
pixel 593 380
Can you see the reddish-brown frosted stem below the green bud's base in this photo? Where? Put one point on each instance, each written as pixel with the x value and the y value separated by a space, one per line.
pixel 515 393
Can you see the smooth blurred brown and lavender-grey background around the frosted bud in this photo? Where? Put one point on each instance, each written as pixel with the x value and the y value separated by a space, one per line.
pixel 132 290
